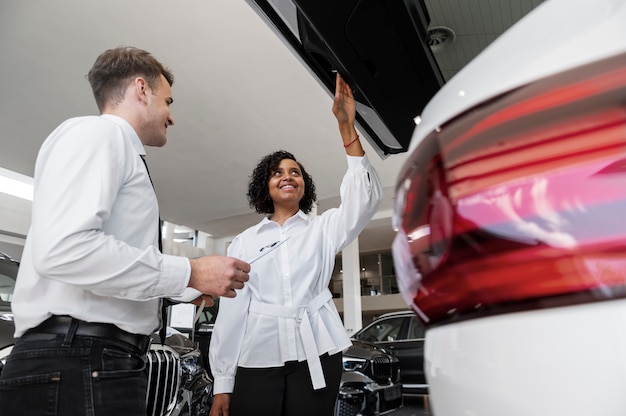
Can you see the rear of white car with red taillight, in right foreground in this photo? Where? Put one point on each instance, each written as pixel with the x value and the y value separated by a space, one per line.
pixel 510 243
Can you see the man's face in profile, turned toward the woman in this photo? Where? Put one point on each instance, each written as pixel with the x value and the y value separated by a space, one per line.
pixel 158 117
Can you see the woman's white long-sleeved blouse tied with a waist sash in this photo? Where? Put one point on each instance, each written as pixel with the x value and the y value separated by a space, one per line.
pixel 263 325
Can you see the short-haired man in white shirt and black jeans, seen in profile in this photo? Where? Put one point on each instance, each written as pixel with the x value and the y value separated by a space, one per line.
pixel 92 277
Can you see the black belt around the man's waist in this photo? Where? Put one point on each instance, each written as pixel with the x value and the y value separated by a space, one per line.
pixel 60 325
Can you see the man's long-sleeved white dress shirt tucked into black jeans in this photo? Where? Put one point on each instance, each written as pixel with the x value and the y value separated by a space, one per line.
pixel 91 250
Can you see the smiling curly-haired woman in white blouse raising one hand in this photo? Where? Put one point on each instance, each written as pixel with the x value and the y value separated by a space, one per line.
pixel 276 347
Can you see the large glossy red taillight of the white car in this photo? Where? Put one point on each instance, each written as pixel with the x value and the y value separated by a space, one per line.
pixel 521 198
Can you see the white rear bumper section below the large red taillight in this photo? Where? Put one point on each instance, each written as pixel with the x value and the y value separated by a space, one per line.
pixel 559 361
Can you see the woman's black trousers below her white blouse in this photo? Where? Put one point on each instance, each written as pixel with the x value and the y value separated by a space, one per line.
pixel 286 390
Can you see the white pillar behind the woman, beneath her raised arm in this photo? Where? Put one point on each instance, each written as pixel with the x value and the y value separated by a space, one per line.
pixel 352 317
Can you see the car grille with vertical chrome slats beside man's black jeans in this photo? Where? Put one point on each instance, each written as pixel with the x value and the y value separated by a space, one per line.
pixel 163 365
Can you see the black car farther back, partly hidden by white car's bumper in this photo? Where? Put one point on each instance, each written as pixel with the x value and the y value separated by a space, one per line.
pixel 403 334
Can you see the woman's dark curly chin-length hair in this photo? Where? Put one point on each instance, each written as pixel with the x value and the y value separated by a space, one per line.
pixel 258 191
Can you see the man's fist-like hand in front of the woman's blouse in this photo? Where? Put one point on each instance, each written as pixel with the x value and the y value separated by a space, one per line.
pixel 218 275
